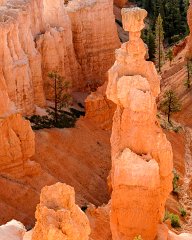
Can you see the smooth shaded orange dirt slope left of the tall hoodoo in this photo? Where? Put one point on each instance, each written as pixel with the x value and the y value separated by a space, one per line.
pixel 79 157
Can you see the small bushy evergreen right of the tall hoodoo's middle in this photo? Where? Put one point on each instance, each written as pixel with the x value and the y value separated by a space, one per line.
pixel 170 104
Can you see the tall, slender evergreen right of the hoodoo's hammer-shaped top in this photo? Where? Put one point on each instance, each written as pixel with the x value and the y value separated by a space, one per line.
pixel 159 38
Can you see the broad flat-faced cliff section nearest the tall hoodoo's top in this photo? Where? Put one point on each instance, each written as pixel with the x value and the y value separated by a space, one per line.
pixel 94 36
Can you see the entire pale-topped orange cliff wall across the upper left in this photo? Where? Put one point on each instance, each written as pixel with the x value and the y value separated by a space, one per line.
pixel 37 37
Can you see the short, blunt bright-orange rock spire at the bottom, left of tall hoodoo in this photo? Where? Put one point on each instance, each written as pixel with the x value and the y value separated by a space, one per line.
pixel 58 217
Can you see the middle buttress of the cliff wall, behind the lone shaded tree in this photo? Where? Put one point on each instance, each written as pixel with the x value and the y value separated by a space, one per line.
pixel 56 47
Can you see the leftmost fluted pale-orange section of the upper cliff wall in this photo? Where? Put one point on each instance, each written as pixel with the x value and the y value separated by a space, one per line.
pixel 20 66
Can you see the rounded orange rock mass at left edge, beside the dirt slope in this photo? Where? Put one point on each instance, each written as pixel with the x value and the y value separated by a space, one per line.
pixel 17 145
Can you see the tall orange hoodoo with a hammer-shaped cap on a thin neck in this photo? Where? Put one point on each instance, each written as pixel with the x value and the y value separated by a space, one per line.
pixel 141 155
